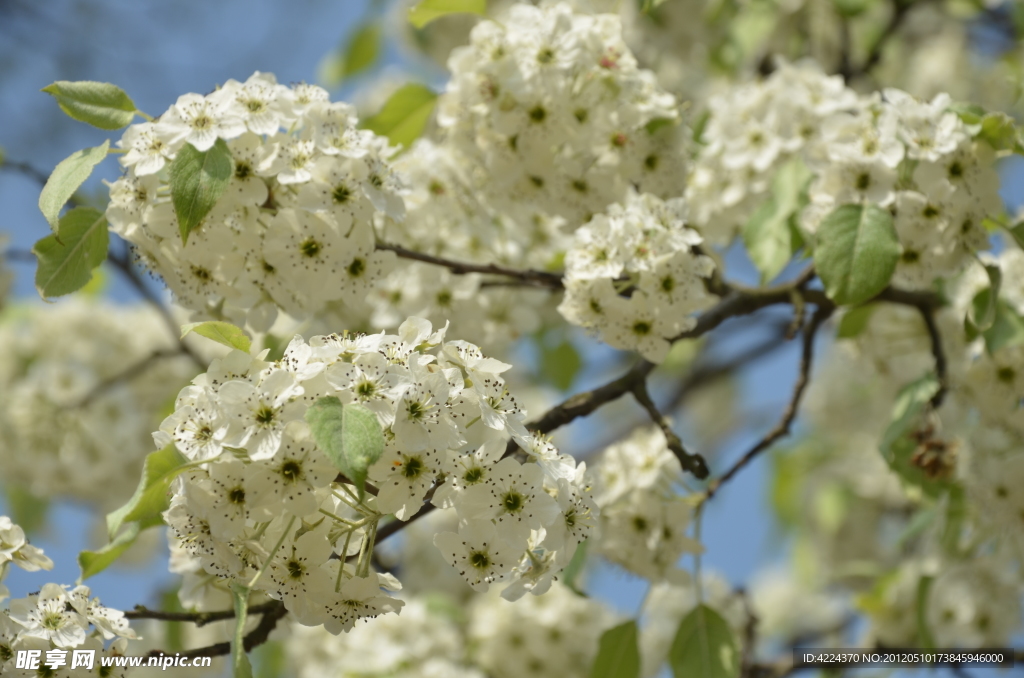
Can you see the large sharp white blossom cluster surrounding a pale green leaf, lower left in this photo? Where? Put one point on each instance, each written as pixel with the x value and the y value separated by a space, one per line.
pixel 262 502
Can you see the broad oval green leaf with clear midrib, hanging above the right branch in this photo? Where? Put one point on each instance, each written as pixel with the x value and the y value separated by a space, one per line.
pixel 857 252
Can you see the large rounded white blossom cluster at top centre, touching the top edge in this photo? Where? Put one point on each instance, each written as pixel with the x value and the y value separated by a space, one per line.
pixel 552 115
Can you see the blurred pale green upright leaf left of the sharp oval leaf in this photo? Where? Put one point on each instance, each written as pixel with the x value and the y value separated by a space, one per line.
pixel 770 233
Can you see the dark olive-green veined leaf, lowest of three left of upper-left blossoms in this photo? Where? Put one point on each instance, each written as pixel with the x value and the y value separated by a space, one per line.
pixel 68 260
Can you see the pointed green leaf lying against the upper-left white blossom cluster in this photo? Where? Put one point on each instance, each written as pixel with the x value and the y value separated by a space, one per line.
pixel 199 179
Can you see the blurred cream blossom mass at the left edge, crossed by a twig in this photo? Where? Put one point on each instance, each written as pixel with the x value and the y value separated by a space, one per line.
pixel 76 415
